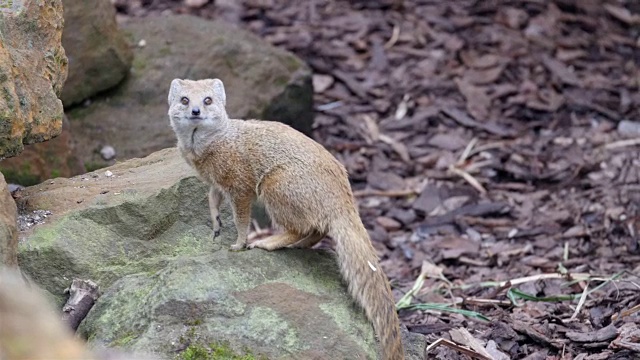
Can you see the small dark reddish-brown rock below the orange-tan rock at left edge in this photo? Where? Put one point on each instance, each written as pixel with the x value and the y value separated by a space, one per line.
pixel 41 161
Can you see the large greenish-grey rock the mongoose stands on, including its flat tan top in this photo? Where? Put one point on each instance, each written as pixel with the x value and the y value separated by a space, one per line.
pixel 143 234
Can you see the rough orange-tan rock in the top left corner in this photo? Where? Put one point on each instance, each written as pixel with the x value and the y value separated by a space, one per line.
pixel 33 68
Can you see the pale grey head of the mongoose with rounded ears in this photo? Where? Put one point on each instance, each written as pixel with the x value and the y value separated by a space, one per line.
pixel 197 103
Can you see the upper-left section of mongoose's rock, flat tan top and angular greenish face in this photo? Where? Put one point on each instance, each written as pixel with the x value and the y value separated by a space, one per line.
pixel 101 227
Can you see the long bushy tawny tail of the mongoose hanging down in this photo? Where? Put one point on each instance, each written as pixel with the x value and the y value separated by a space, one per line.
pixel 367 283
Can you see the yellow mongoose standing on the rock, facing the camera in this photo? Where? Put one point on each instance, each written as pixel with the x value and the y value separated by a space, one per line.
pixel 303 187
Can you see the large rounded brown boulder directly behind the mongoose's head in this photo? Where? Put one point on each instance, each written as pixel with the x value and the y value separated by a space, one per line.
pixel 261 81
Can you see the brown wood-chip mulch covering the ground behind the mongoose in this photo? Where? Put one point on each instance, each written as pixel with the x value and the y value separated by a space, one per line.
pixel 487 141
